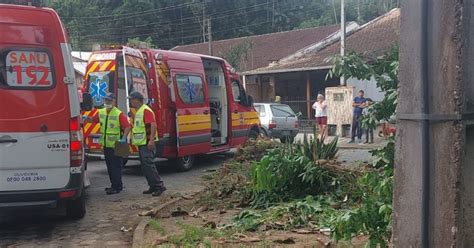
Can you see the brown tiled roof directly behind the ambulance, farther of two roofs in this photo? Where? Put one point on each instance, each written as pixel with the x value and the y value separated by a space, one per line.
pixel 262 50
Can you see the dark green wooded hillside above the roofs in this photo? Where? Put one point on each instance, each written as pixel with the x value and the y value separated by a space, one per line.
pixel 178 22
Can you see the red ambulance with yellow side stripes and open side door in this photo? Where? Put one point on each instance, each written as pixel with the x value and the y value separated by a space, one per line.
pixel 199 102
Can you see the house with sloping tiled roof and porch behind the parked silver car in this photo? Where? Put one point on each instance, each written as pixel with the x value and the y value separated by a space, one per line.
pixel 299 77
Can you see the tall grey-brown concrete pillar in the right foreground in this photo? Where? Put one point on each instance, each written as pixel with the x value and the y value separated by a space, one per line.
pixel 448 22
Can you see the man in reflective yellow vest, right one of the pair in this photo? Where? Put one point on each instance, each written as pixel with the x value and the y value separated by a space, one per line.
pixel 144 135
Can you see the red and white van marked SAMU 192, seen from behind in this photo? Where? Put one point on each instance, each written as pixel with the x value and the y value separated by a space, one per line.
pixel 41 151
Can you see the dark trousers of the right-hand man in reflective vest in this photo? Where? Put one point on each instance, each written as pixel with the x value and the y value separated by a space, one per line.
pixel 149 168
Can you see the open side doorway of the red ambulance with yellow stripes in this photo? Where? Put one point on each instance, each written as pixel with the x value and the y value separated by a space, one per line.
pixel 217 101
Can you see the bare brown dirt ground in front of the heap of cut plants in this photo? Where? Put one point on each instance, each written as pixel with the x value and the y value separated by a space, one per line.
pixel 172 218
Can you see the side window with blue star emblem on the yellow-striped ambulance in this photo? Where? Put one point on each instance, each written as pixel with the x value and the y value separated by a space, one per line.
pixel 190 89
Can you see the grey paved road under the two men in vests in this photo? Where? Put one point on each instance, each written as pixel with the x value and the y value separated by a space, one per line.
pixel 106 214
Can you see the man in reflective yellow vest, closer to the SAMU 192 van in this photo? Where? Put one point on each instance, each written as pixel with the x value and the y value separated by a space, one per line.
pixel 113 123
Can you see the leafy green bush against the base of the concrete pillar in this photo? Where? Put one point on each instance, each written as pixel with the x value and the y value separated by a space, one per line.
pixel 373 216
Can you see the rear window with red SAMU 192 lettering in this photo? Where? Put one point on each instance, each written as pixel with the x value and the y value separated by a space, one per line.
pixel 26 69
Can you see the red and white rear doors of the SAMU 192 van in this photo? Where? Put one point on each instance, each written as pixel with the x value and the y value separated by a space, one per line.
pixel 34 110
